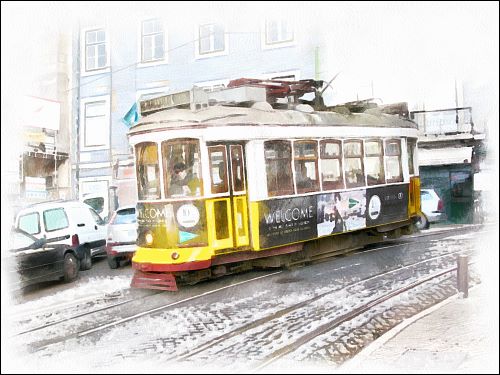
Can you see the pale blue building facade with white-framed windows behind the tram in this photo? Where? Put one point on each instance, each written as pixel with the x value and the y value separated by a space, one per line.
pixel 118 62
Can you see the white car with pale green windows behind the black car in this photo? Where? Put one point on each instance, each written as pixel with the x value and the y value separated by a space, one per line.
pixel 71 223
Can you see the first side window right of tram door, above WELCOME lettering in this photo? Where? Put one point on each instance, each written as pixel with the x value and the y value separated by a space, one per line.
pixel 278 156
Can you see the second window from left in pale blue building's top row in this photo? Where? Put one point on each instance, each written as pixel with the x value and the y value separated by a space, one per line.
pixel 153 38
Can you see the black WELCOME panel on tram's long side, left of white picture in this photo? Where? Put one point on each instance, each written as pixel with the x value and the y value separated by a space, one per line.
pixel 287 220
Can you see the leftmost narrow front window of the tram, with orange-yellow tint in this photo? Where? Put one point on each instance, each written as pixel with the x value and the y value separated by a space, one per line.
pixel 148 171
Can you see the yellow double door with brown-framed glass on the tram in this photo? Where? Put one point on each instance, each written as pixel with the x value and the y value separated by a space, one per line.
pixel 229 207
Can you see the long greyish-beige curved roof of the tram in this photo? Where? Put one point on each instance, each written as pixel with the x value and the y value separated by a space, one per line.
pixel 220 115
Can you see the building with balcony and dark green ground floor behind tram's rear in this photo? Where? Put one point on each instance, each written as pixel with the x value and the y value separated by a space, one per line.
pixel 450 153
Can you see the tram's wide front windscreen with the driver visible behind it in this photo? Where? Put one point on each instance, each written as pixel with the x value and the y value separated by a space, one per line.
pixel 182 168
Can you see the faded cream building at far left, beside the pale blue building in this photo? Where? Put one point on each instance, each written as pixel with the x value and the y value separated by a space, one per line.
pixel 40 116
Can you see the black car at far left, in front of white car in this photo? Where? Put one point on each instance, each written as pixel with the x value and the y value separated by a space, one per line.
pixel 31 260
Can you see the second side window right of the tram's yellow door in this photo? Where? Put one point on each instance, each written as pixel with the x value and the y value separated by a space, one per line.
pixel 306 166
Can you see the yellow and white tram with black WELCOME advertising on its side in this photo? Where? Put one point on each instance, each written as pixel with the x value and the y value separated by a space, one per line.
pixel 241 178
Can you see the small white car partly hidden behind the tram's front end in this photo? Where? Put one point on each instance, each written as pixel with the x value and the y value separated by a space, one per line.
pixel 122 236
